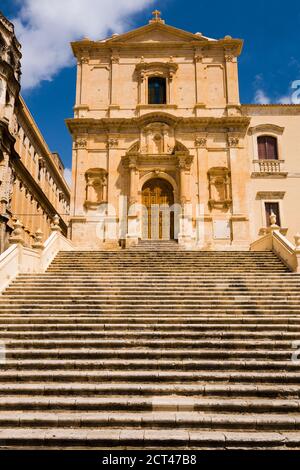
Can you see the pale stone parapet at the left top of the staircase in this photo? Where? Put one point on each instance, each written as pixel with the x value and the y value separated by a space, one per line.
pixel 18 259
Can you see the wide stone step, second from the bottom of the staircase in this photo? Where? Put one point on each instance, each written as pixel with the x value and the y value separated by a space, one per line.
pixel 142 420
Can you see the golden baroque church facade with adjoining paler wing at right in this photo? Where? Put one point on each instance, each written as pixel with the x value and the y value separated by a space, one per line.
pixel 163 149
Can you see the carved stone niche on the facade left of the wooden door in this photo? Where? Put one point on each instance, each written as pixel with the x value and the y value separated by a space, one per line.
pixel 96 187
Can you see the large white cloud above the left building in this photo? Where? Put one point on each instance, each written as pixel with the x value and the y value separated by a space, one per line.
pixel 45 29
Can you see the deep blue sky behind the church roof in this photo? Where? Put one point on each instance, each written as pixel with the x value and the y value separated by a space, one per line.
pixel 268 65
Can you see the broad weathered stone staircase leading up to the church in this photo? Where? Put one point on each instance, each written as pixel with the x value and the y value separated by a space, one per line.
pixel 152 350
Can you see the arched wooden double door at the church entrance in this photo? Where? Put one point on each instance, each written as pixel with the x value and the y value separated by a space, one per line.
pixel 158 213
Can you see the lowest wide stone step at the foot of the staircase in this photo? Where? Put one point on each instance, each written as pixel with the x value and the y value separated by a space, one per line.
pixel 126 438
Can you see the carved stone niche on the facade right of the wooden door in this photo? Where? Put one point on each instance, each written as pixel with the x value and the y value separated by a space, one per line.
pixel 219 188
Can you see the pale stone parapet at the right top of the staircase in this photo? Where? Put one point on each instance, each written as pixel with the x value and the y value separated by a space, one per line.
pixel 282 247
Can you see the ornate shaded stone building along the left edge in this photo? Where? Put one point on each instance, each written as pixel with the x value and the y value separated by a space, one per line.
pixel 32 185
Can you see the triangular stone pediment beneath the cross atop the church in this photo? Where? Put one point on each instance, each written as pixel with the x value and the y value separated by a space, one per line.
pixel 157 33
